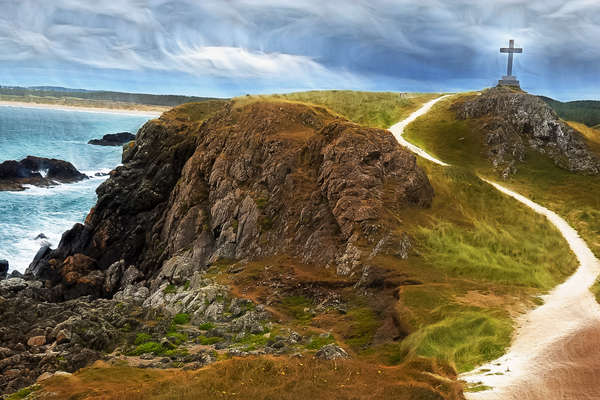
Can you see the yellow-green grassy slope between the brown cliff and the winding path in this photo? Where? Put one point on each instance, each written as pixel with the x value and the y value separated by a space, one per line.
pixel 473 240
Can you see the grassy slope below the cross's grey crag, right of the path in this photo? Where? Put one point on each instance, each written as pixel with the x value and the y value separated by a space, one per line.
pixel 573 196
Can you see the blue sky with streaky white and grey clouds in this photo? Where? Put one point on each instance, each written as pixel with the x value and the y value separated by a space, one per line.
pixel 227 48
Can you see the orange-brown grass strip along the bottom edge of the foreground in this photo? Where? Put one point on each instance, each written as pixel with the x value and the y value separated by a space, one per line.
pixel 263 378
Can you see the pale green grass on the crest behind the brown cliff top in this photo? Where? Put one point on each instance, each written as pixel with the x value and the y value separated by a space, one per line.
pixel 375 109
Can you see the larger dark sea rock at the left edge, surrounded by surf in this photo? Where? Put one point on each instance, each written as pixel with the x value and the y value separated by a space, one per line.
pixel 37 171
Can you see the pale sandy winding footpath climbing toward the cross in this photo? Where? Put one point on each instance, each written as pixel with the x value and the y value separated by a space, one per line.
pixel 555 353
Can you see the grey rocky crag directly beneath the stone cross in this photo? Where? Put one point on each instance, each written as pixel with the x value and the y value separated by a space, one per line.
pixel 517 121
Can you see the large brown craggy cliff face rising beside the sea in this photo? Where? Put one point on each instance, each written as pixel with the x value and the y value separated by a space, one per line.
pixel 252 181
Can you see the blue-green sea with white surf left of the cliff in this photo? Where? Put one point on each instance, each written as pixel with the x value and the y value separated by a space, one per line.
pixel 53 134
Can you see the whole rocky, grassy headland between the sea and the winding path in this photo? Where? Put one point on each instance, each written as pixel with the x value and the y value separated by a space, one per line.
pixel 255 237
